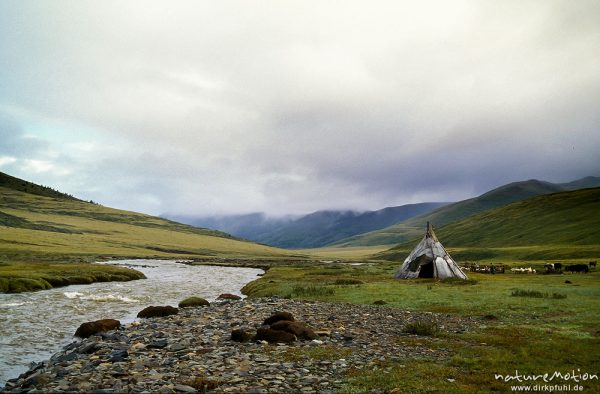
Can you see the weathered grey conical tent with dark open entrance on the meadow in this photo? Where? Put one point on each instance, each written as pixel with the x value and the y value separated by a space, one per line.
pixel 429 259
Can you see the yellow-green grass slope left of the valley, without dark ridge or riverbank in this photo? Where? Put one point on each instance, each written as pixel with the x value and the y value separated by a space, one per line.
pixel 33 224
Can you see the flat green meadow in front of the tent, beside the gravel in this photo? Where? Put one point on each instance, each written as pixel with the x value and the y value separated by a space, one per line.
pixel 530 335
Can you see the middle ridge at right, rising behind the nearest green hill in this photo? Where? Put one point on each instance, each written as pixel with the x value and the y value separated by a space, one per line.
pixel 501 196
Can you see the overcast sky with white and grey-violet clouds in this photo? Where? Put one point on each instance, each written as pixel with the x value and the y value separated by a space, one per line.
pixel 288 107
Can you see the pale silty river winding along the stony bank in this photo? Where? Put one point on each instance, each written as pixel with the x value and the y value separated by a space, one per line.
pixel 33 326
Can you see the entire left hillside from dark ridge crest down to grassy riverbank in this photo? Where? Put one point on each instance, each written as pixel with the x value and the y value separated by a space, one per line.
pixel 41 228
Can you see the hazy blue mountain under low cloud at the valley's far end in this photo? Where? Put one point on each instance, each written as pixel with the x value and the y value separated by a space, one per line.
pixel 310 231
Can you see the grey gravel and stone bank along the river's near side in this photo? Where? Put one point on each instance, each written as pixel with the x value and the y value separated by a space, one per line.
pixel 193 351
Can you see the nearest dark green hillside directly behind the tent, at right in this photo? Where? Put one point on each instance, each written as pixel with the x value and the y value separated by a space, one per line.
pixel 554 226
